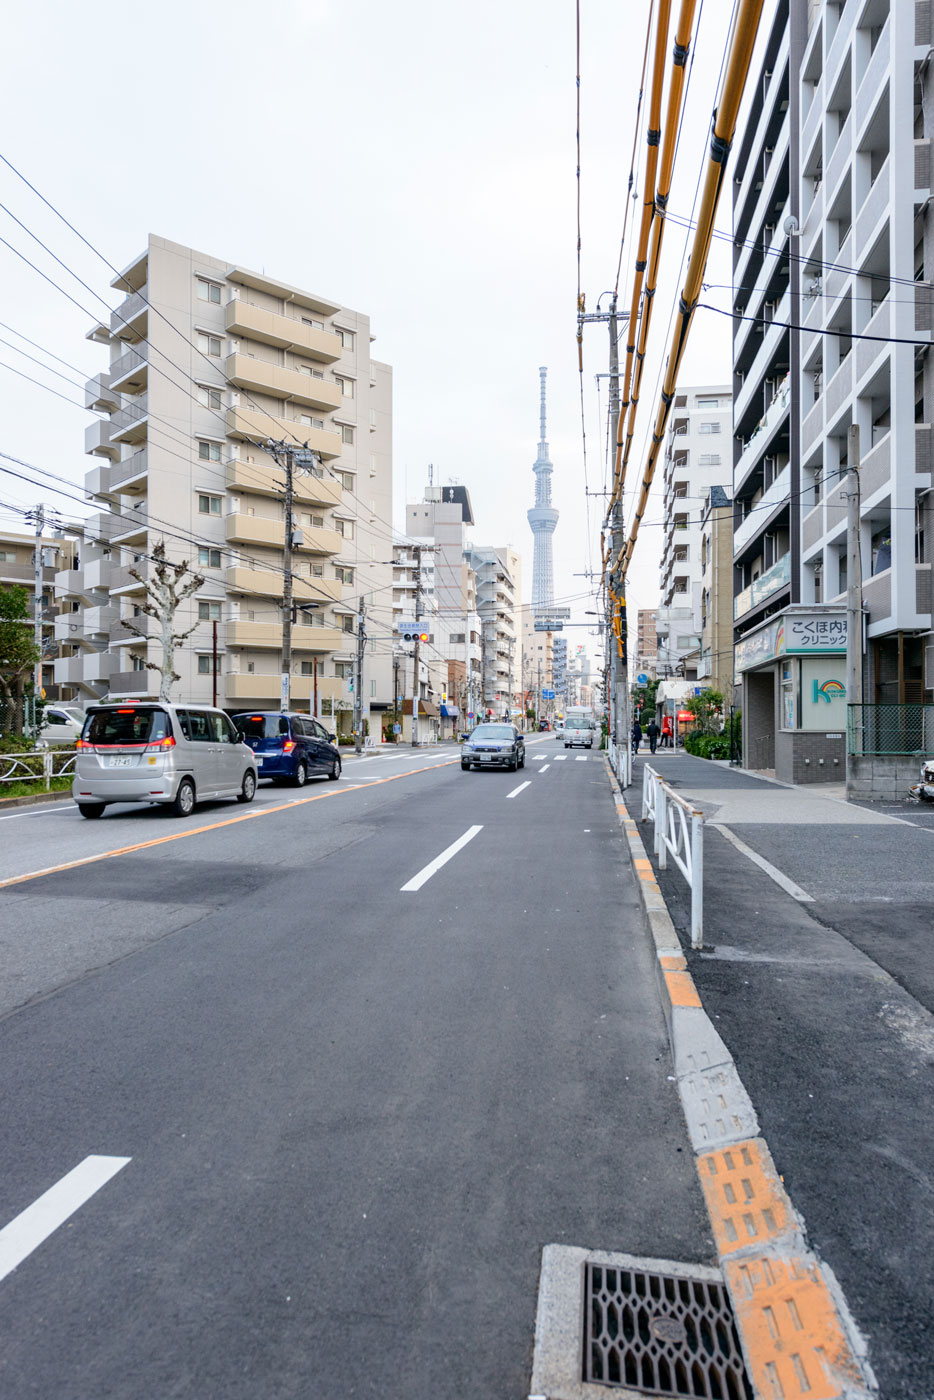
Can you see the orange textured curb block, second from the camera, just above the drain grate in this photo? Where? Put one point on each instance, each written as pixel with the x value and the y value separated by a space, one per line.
pixel 746 1199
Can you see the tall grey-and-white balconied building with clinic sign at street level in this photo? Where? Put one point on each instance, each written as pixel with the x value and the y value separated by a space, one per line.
pixel 834 236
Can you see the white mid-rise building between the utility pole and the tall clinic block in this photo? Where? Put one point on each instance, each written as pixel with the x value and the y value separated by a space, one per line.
pixel 697 458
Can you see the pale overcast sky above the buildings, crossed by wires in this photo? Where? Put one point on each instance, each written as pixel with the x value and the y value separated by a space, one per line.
pixel 415 162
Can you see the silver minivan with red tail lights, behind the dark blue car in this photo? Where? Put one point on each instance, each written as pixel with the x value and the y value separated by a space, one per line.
pixel 159 752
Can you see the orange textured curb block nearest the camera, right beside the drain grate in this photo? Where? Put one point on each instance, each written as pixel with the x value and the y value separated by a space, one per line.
pixel 790 1329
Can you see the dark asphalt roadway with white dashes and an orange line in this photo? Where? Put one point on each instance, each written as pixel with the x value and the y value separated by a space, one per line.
pixel 352 1114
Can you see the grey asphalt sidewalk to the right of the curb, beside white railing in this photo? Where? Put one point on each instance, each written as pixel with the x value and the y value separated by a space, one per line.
pixel 820 978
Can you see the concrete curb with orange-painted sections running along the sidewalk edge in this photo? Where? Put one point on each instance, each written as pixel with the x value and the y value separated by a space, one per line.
pixel 797 1333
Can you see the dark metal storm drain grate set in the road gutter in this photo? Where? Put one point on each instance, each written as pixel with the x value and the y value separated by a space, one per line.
pixel 663 1335
